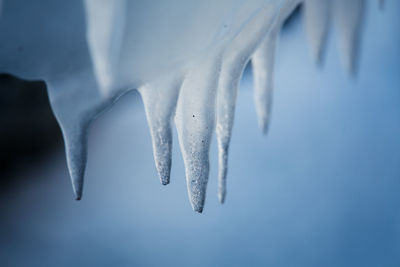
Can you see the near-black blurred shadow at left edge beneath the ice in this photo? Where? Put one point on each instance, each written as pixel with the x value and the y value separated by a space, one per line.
pixel 28 129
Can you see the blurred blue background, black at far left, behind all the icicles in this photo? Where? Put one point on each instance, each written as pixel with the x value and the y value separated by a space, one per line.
pixel 321 189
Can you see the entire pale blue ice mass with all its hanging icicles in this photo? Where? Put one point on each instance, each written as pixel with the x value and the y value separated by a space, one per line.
pixel 185 58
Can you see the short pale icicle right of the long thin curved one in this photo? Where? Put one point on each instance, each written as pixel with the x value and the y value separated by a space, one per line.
pixel 263 74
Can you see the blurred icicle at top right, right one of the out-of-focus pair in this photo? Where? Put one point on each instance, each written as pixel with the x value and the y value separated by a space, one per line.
pixel 348 17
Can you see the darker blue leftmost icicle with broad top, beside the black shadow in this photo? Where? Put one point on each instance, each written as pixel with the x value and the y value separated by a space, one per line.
pixel 74 121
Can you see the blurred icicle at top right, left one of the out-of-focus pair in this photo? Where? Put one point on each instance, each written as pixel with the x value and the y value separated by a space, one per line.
pixel 317 22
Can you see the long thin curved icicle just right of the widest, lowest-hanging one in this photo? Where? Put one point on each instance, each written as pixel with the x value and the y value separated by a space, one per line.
pixel 235 60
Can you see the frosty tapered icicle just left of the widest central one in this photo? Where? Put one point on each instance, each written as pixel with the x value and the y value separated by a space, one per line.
pixel 159 99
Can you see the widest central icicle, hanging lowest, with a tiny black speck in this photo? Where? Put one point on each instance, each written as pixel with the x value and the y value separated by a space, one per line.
pixel 195 119
